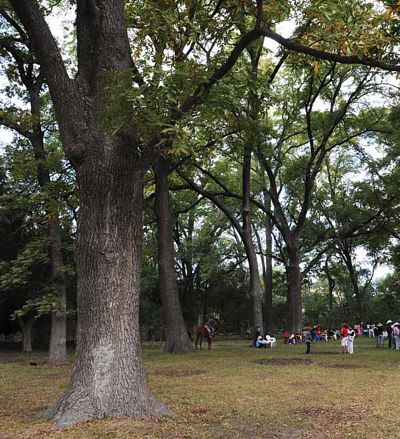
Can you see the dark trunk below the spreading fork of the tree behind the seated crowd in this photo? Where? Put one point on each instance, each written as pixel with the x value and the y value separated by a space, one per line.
pixel 294 272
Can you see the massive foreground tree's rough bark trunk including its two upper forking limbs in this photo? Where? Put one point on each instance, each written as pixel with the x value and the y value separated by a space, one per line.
pixel 108 379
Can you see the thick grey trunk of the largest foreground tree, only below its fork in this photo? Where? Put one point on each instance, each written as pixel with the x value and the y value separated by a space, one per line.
pixel 108 378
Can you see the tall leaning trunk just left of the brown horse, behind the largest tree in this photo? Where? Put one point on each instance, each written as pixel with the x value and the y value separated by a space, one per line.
pixel 177 339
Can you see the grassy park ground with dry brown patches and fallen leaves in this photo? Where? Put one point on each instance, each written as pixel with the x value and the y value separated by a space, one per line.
pixel 233 391
